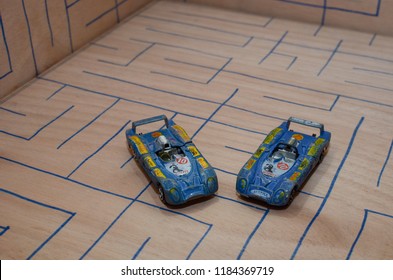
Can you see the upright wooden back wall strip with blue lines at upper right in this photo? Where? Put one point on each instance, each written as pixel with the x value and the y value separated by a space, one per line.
pixel 373 16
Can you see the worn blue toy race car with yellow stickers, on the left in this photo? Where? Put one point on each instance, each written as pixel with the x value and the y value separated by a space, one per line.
pixel 173 163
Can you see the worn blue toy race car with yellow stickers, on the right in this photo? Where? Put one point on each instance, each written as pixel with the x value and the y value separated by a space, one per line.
pixel 281 164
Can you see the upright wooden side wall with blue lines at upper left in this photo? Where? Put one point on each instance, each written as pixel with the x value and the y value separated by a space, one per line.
pixel 35 34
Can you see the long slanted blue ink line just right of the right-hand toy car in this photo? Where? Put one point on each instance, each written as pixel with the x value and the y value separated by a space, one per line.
pixel 331 187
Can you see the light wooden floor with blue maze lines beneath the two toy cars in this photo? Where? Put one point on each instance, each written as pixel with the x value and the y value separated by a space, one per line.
pixel 69 188
